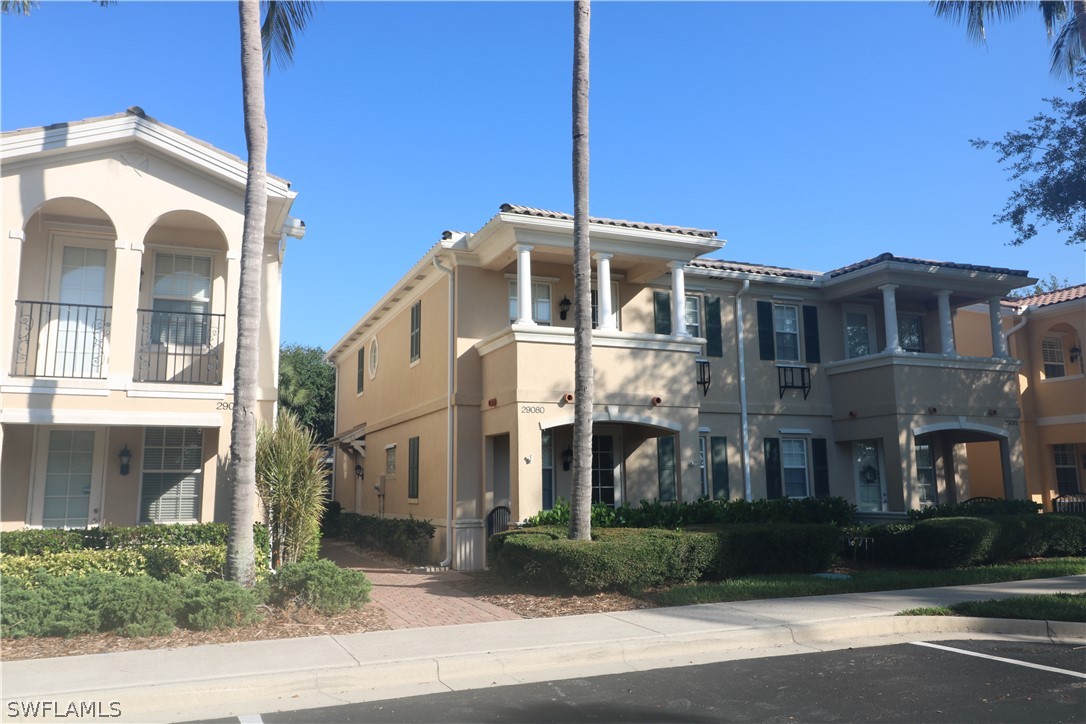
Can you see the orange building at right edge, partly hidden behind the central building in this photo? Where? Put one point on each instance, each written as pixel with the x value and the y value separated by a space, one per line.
pixel 1046 333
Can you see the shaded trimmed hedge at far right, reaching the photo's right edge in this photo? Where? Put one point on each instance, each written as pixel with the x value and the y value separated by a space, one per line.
pixel 958 542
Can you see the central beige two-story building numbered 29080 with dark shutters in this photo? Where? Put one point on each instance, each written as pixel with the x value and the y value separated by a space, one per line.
pixel 713 379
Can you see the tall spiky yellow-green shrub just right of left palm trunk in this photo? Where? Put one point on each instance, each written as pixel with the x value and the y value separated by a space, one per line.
pixel 291 480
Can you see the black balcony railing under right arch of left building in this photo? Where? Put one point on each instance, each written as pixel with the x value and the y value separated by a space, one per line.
pixel 184 348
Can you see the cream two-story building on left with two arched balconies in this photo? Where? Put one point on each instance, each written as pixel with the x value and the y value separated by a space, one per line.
pixel 119 282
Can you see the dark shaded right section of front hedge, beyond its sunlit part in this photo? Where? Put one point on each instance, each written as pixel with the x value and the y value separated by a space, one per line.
pixel 779 549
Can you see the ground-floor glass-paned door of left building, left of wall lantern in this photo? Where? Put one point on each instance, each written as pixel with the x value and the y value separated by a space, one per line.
pixel 70 474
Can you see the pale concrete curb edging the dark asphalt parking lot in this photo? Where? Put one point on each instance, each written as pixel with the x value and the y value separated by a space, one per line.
pixel 369 681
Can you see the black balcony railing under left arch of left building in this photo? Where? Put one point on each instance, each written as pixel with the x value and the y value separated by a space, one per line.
pixel 55 339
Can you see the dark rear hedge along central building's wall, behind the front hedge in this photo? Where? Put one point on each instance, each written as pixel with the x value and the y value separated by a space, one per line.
pixel 704 512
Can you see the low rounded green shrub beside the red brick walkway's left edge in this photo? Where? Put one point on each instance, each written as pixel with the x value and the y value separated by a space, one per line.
pixel 321 586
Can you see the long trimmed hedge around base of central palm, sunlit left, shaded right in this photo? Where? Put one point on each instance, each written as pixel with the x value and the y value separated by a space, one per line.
pixel 635 560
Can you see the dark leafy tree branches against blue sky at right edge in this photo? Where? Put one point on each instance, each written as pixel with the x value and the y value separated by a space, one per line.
pixel 1049 161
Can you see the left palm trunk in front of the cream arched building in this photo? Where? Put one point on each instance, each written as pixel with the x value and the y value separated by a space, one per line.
pixel 241 565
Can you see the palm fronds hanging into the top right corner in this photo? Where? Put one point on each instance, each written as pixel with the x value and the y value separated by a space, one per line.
pixel 1068 16
